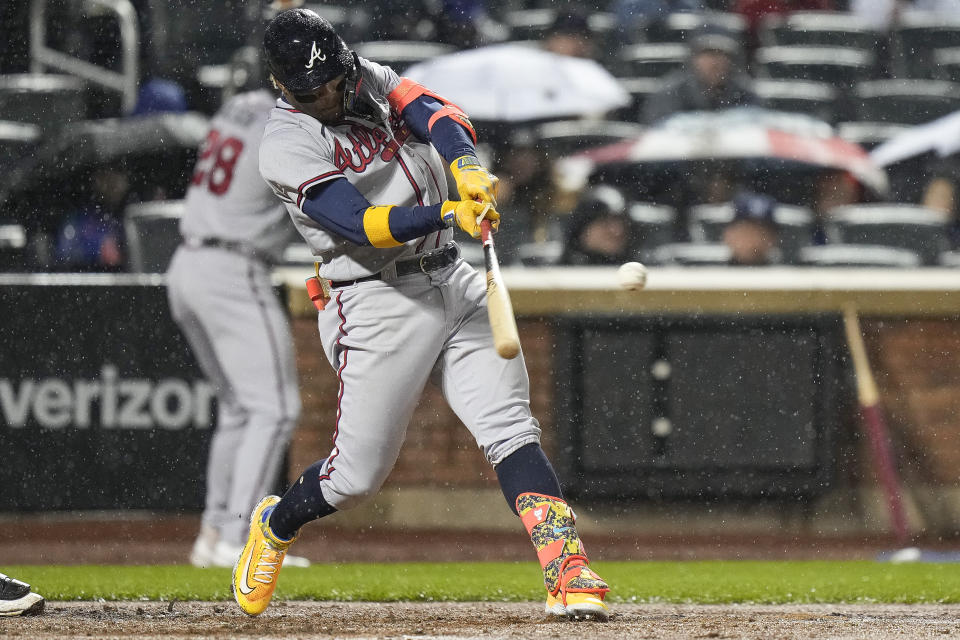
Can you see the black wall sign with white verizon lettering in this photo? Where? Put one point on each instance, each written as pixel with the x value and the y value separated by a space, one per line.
pixel 102 405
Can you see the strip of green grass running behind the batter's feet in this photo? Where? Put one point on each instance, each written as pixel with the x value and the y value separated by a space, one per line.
pixel 680 582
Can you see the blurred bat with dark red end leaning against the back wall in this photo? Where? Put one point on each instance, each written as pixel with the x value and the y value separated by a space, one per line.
pixel 875 425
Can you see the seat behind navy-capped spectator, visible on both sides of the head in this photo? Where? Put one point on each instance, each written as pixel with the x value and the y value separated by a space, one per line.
pixel 794 226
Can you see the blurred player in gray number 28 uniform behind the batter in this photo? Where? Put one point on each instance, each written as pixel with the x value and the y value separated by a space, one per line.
pixel 222 298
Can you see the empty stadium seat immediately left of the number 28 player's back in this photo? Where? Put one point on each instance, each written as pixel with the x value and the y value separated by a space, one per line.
pixel 152 234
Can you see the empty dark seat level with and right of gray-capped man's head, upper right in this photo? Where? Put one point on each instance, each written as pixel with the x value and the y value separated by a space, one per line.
pixel 838 66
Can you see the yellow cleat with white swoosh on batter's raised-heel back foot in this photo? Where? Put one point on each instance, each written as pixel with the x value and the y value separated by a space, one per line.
pixel 256 571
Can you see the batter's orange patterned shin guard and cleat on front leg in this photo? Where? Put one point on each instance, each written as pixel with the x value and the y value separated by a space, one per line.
pixel 573 589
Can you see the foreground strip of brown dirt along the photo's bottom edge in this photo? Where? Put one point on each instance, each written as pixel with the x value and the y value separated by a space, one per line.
pixel 486 621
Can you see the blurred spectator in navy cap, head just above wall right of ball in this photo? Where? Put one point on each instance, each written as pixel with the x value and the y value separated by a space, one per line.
pixel 752 234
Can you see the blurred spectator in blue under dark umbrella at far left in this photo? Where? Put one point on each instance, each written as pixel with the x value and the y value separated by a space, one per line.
pixel 91 236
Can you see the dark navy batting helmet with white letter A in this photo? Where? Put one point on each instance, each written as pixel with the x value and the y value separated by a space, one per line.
pixel 303 52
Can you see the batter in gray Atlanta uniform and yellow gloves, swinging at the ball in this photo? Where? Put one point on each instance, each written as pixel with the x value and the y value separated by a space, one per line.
pixel 357 154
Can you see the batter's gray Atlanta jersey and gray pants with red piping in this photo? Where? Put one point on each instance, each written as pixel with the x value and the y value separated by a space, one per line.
pixel 386 337
